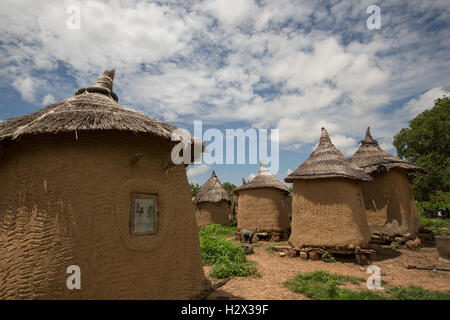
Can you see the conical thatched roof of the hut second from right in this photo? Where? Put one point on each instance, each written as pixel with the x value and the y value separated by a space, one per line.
pixel 327 162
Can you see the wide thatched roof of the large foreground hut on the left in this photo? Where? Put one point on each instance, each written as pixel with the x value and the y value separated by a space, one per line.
pixel 92 108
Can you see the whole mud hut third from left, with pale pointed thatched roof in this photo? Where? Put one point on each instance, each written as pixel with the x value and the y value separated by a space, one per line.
pixel 263 203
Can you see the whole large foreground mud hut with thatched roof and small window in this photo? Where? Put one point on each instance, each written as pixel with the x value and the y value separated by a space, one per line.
pixel 87 182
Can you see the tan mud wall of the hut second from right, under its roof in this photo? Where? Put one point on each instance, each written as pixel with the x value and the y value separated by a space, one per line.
pixel 326 212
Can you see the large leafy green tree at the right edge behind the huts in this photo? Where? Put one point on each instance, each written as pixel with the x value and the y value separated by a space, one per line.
pixel 427 143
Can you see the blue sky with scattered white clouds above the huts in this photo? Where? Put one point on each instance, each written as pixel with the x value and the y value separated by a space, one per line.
pixel 291 65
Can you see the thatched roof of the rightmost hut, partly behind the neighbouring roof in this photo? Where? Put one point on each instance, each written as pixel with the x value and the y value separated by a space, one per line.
pixel 371 158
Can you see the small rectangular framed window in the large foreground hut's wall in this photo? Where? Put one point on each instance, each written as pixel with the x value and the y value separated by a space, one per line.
pixel 144 214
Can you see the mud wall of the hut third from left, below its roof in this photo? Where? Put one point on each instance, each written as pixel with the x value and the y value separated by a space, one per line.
pixel 262 209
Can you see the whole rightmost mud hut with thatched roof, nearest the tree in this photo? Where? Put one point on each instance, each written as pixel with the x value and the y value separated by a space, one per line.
pixel 388 199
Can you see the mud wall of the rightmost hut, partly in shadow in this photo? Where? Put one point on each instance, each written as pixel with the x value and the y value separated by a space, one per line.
pixel 389 203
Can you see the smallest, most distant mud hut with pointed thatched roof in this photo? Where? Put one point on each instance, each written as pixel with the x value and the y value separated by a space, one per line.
pixel 213 203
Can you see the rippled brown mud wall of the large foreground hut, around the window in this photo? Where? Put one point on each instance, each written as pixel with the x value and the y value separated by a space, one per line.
pixel 67 202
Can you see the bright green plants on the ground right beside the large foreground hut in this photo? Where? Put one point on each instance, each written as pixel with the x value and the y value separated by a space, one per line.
pixel 226 258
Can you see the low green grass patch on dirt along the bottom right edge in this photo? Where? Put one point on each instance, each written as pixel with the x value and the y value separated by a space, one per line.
pixel 323 285
